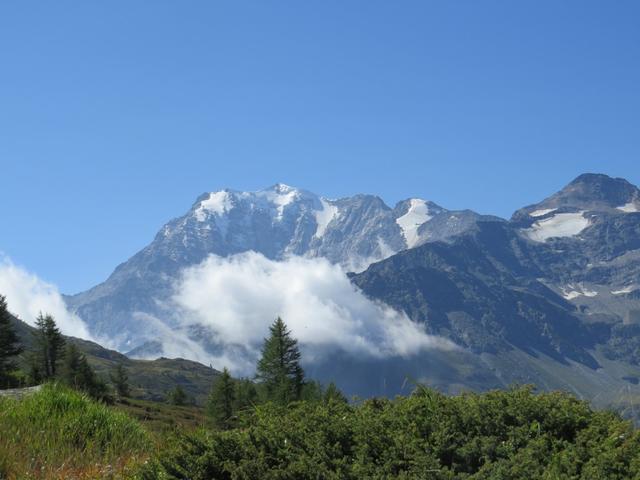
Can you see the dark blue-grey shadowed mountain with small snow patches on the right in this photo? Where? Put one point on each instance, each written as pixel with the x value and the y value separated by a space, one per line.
pixel 550 297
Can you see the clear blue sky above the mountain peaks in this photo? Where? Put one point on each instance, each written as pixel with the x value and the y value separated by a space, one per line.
pixel 115 116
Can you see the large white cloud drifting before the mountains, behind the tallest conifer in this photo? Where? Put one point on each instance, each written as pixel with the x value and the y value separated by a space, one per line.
pixel 238 297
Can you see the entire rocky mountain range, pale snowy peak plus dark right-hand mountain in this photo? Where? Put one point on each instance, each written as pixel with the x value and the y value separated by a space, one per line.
pixel 551 296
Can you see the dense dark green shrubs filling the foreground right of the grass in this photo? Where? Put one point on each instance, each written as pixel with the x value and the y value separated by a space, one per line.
pixel 513 434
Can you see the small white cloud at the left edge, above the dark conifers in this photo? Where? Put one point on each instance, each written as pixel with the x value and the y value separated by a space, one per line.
pixel 28 296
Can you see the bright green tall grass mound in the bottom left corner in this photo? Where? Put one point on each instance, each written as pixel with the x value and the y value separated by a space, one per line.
pixel 58 433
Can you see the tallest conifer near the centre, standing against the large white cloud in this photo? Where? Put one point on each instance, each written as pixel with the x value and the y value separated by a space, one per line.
pixel 279 368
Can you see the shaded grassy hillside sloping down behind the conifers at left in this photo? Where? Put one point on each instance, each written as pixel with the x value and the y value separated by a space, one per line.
pixel 149 379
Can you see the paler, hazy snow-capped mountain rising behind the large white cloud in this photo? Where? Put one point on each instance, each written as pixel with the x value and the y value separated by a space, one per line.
pixel 279 221
